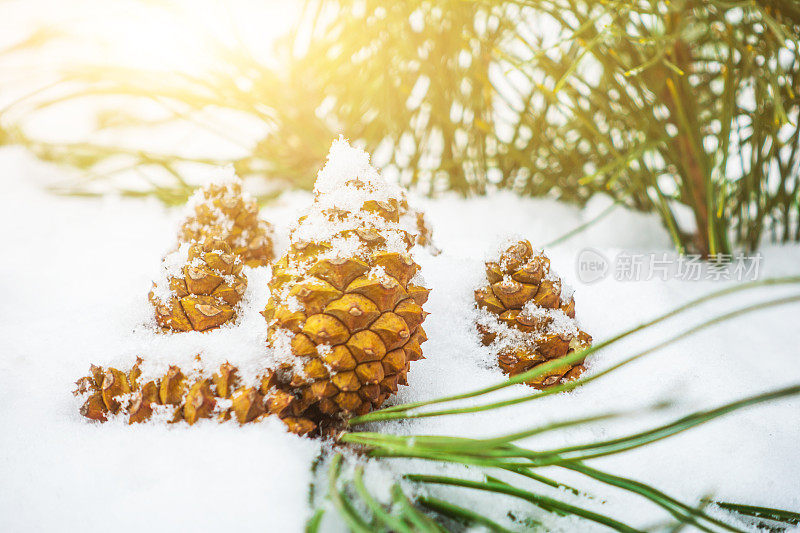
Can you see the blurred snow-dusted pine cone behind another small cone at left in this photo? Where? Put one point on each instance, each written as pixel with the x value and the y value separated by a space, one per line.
pixel 222 210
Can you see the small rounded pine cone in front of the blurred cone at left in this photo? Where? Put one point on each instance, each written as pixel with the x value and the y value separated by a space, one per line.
pixel 200 287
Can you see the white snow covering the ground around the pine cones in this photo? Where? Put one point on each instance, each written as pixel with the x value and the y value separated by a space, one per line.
pixel 75 276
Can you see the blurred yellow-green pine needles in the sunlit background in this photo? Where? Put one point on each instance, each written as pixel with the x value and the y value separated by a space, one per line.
pixel 685 108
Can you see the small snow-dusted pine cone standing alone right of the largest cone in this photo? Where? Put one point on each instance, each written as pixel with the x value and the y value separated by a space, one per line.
pixel 529 316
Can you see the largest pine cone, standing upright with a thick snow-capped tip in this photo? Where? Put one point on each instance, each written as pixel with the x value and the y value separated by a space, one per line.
pixel 345 314
